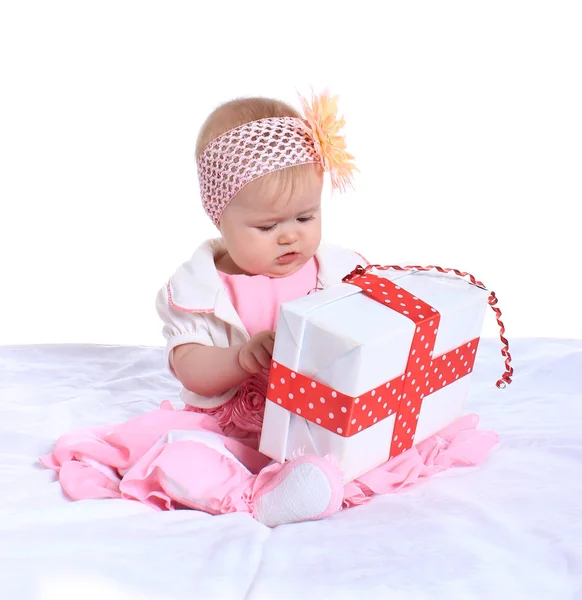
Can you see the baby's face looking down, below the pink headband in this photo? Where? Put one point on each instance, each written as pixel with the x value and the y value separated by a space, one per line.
pixel 271 232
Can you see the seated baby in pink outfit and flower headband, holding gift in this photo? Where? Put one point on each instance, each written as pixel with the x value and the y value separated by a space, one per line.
pixel 261 167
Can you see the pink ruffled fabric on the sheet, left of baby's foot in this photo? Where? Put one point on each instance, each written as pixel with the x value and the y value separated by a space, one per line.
pixel 132 460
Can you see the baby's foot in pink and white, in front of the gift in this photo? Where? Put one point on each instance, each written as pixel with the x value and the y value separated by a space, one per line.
pixel 305 489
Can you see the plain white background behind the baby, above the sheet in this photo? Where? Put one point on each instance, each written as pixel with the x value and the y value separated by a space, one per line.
pixel 464 117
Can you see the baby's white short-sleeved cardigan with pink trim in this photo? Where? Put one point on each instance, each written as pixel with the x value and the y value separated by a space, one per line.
pixel 195 307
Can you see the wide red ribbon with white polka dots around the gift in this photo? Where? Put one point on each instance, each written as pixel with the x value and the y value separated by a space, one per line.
pixel 346 415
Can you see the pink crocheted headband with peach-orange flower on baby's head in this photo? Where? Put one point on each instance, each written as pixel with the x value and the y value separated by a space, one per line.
pixel 254 149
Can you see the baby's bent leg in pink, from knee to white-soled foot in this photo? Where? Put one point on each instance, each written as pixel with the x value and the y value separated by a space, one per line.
pixel 195 469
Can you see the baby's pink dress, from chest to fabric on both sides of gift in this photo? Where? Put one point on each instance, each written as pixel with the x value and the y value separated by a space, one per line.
pixel 208 459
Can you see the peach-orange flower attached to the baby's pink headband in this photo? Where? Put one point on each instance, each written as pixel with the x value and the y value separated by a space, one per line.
pixel 324 126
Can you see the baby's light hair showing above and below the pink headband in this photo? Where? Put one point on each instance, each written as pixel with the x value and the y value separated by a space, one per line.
pixel 239 111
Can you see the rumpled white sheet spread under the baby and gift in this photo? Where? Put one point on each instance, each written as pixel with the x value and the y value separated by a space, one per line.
pixel 509 529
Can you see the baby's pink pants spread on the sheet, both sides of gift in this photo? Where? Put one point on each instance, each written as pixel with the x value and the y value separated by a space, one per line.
pixel 175 458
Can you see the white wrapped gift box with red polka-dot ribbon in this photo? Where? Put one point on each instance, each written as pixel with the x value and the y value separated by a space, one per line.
pixel 363 374
